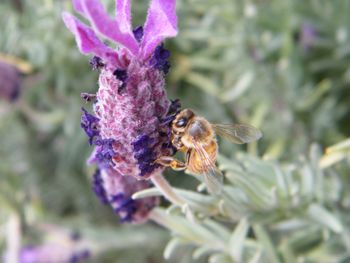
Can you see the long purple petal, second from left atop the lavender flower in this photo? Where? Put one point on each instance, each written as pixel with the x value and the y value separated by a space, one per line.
pixel 100 20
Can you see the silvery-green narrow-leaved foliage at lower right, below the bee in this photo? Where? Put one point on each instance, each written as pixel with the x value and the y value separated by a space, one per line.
pixel 268 212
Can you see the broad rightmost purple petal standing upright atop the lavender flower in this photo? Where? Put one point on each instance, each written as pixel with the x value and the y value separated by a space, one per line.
pixel 161 23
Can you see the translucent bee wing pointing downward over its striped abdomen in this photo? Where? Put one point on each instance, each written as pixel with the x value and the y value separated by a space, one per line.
pixel 213 177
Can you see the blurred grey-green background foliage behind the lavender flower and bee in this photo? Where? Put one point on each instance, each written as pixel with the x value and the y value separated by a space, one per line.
pixel 280 65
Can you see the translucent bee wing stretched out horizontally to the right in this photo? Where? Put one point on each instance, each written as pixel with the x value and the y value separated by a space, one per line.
pixel 238 133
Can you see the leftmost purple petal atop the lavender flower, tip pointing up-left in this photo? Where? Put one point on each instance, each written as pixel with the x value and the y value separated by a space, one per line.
pixel 87 40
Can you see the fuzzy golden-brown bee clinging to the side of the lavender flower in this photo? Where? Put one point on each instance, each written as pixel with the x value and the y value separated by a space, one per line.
pixel 196 137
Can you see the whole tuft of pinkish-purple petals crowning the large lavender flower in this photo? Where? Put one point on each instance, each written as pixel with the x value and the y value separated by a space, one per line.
pixel 161 23
